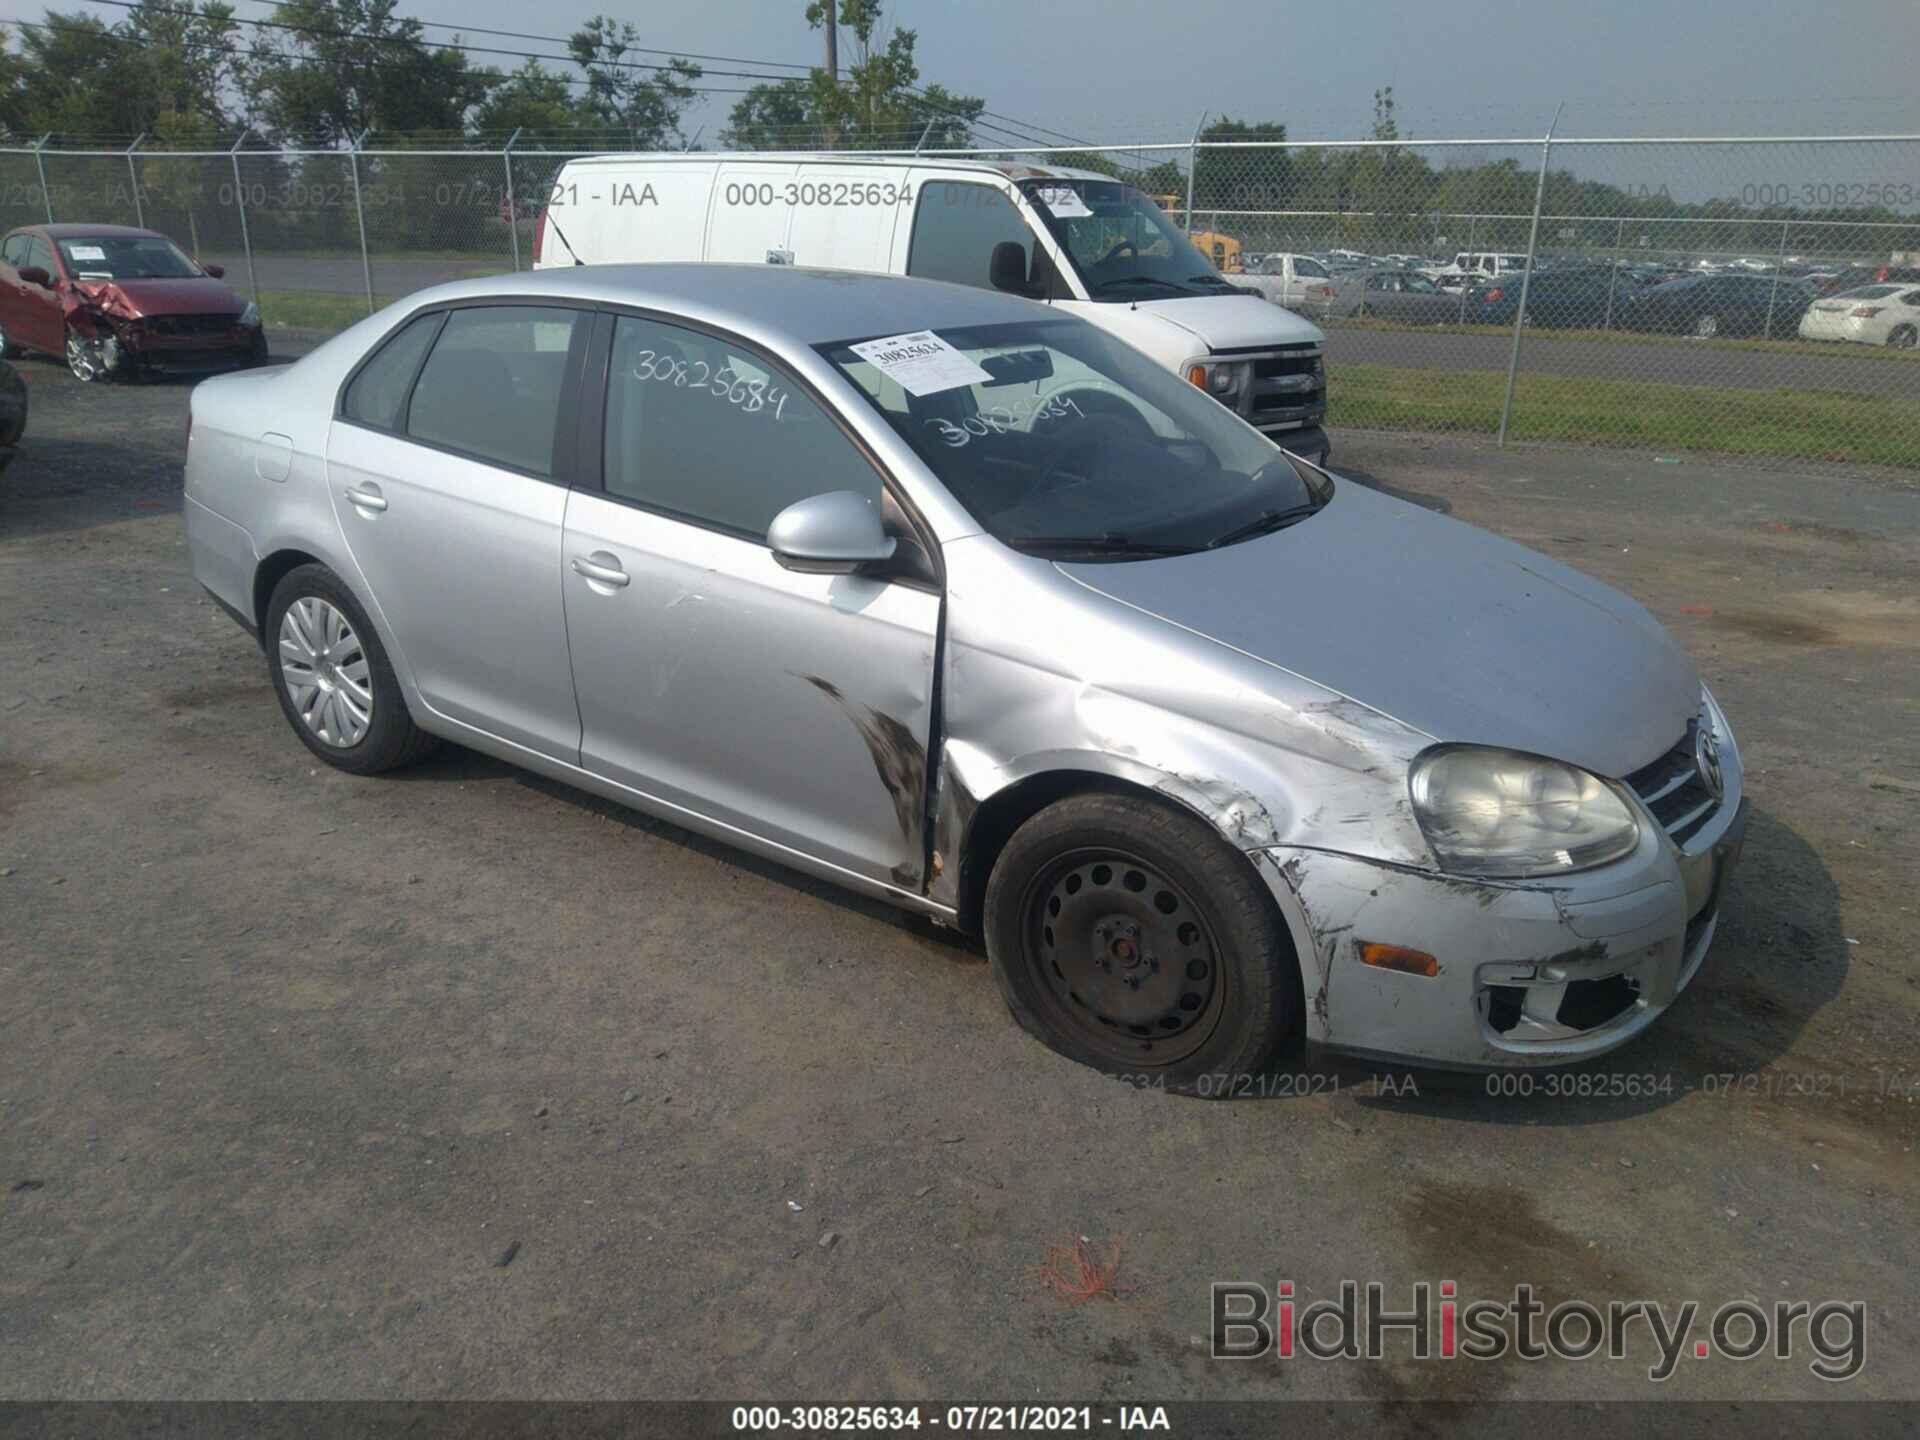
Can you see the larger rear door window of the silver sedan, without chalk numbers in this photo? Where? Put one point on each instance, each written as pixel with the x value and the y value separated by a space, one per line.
pixel 492 387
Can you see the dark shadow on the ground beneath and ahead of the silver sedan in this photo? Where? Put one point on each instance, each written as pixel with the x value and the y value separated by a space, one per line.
pixel 1779 957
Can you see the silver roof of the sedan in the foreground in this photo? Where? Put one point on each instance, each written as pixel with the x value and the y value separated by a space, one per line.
pixel 788 300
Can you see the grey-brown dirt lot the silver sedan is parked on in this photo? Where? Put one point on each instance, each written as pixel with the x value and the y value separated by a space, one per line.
pixel 460 1084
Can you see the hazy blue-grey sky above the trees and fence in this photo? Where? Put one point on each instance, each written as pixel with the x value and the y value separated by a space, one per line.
pixel 1460 68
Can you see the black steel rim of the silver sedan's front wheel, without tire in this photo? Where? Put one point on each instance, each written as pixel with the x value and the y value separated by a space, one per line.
pixel 1124 957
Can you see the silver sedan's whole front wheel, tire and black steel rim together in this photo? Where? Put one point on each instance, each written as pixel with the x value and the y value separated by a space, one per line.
pixel 1128 936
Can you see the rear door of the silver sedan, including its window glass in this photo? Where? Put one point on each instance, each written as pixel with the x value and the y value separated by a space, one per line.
pixel 450 489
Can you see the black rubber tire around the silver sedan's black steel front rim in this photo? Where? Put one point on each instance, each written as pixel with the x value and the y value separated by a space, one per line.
pixel 1253 946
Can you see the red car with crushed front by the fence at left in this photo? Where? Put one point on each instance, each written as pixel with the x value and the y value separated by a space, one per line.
pixel 120 302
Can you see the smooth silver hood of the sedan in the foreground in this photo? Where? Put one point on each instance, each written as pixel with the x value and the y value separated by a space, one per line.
pixel 1445 627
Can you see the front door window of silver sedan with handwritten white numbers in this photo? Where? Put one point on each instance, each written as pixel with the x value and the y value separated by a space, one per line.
pixel 711 433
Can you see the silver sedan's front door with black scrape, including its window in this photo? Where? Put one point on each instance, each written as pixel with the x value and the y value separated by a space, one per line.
pixel 788 708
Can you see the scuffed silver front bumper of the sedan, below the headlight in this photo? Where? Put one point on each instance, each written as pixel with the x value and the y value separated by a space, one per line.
pixel 1529 972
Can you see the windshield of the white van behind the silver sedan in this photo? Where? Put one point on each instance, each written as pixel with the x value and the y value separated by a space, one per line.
pixel 1122 243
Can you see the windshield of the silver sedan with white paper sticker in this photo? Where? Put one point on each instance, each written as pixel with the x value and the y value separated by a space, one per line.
pixel 1067 443
